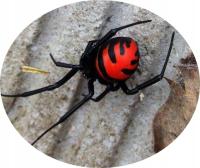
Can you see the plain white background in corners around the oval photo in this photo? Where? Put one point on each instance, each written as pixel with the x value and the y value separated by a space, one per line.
pixel 15 15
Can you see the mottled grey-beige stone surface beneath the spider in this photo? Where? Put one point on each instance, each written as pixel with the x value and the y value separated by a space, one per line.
pixel 115 131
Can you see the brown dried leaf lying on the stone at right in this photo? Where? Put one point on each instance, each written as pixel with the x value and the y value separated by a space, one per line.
pixel 175 114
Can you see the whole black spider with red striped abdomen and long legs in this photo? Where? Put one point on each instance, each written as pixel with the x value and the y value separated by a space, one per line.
pixel 109 60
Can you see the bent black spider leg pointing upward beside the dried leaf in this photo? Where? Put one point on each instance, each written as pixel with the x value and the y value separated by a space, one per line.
pixel 153 80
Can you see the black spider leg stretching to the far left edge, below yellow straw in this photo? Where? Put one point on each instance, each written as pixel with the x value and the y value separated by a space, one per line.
pixel 47 88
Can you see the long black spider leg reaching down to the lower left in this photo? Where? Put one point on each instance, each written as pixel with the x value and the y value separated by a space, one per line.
pixel 72 110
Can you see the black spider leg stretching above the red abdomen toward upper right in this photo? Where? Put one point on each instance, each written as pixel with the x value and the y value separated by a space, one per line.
pixel 112 32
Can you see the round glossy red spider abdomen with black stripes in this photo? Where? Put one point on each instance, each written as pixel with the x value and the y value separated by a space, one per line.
pixel 117 59
